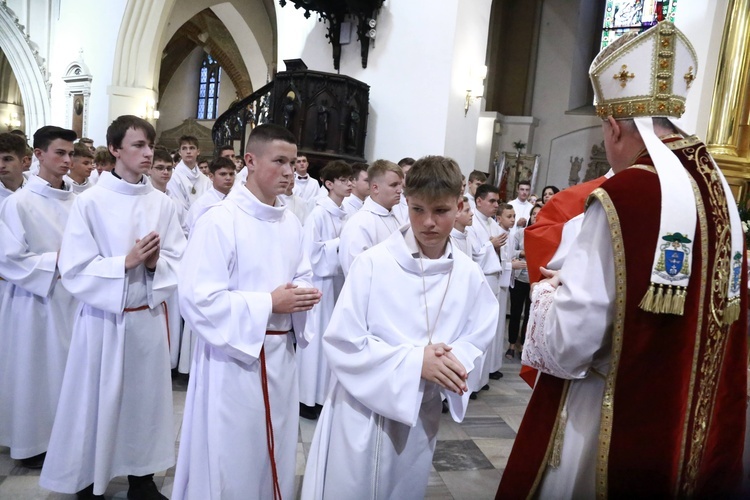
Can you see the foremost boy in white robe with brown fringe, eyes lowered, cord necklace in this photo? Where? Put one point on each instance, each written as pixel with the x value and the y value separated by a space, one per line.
pixel 392 354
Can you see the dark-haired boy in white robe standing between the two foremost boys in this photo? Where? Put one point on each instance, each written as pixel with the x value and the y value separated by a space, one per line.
pixel 321 245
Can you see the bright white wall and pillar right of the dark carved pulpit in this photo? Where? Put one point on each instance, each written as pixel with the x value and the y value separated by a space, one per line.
pixel 413 95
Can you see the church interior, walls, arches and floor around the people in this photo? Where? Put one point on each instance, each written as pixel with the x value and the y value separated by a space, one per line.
pixel 501 86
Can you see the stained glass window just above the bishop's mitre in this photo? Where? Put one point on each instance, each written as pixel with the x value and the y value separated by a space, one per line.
pixel 623 16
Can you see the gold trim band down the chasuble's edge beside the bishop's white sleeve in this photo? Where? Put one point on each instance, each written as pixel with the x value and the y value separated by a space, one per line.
pixel 605 427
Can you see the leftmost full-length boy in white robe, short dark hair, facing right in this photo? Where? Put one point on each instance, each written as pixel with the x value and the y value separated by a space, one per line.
pixel 36 312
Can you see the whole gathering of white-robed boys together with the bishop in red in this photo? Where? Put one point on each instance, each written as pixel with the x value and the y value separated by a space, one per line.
pixel 371 300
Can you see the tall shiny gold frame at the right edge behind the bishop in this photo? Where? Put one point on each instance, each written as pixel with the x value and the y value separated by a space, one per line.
pixel 728 136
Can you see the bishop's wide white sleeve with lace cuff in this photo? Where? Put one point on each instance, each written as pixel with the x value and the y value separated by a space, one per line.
pixel 570 326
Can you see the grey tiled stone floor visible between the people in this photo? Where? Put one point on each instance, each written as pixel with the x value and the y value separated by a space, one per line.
pixel 468 463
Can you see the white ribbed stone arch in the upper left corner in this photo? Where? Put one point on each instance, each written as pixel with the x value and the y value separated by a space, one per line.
pixel 28 67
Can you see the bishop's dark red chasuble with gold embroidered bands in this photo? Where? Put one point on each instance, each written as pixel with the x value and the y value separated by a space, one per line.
pixel 673 411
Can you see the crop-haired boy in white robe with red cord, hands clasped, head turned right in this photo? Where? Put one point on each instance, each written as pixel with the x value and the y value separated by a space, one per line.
pixel 247 285
